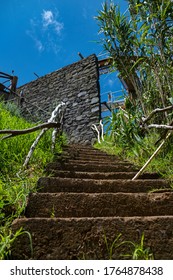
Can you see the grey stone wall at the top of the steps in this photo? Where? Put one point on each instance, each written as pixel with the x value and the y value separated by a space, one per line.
pixel 78 86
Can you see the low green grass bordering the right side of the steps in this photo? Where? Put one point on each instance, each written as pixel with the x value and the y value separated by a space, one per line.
pixel 138 154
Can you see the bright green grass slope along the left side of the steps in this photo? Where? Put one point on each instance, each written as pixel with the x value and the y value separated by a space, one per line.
pixel 15 186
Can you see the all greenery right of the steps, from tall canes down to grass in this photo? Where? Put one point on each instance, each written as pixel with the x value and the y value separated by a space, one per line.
pixel 140 44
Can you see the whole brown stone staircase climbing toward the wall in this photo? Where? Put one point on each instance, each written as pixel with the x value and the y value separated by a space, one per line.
pixel 86 201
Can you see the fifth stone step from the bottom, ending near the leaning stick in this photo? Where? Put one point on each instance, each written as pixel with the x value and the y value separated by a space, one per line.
pixel 90 167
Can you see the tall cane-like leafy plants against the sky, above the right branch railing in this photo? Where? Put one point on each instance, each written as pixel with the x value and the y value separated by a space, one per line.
pixel 140 44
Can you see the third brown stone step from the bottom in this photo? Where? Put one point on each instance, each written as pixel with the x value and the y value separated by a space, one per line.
pixel 77 185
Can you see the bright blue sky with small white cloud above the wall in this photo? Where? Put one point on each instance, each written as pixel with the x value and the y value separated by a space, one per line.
pixel 41 36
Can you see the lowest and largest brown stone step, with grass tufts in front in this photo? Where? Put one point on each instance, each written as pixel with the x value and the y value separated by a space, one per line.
pixel 87 238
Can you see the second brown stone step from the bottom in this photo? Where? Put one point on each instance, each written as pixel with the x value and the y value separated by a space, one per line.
pixel 64 205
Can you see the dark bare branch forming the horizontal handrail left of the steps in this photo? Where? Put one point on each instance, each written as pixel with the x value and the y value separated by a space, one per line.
pixel 13 133
